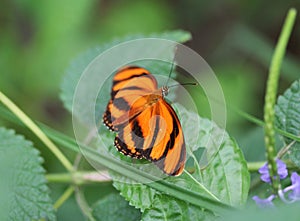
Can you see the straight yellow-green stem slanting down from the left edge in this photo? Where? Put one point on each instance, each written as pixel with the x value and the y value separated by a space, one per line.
pixel 36 130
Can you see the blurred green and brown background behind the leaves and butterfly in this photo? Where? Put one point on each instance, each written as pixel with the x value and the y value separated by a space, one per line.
pixel 39 39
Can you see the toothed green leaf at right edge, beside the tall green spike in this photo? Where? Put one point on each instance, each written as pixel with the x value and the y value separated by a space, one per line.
pixel 287 117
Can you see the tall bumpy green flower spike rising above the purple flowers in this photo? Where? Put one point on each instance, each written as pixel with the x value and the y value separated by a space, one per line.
pixel 270 96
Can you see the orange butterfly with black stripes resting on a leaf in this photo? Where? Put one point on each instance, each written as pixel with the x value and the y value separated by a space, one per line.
pixel 146 125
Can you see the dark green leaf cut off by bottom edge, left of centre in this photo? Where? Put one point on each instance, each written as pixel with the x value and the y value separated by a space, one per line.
pixel 114 207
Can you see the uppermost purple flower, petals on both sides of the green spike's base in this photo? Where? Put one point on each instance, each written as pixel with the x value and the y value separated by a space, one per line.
pixel 281 171
